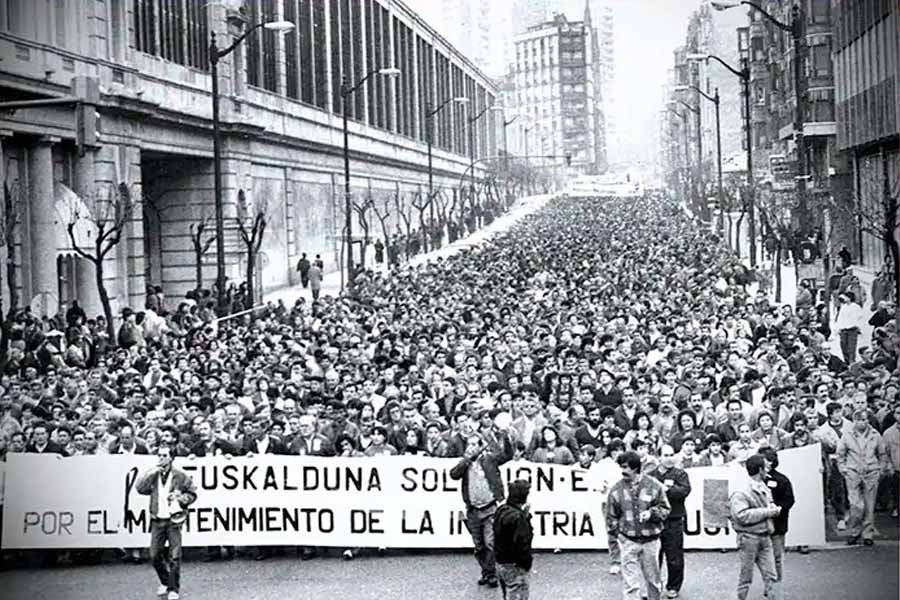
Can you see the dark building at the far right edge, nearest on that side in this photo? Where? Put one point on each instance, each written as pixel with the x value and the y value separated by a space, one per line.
pixel 867 102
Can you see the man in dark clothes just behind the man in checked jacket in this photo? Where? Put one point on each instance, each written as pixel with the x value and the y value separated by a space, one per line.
pixel 678 487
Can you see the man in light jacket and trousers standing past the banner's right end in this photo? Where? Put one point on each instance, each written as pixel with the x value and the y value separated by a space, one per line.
pixel 861 459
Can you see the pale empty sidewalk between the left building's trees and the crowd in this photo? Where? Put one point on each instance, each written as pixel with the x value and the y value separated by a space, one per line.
pixel 331 282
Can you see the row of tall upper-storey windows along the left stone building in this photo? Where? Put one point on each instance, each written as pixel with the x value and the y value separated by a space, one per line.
pixel 364 38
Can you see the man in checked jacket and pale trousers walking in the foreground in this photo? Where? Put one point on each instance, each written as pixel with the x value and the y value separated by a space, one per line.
pixel 636 512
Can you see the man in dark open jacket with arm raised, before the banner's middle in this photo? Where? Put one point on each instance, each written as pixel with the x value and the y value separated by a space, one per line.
pixel 482 490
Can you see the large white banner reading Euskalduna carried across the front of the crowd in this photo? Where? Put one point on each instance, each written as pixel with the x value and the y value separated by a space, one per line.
pixel 403 501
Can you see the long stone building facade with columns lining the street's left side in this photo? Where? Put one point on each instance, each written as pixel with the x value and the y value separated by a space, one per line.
pixel 281 131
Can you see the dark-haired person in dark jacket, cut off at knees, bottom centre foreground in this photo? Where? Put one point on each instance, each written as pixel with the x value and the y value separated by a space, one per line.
pixel 512 540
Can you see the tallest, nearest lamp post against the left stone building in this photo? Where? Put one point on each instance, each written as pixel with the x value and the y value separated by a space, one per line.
pixel 215 54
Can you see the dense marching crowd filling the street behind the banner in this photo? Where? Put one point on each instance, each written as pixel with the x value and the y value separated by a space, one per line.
pixel 590 328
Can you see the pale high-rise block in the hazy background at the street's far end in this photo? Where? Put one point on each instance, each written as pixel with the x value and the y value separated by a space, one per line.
pixel 556 94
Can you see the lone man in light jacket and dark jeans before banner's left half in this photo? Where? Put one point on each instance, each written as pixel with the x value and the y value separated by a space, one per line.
pixel 171 492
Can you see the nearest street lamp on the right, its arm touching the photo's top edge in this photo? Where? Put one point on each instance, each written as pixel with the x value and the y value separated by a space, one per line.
pixel 796 28
